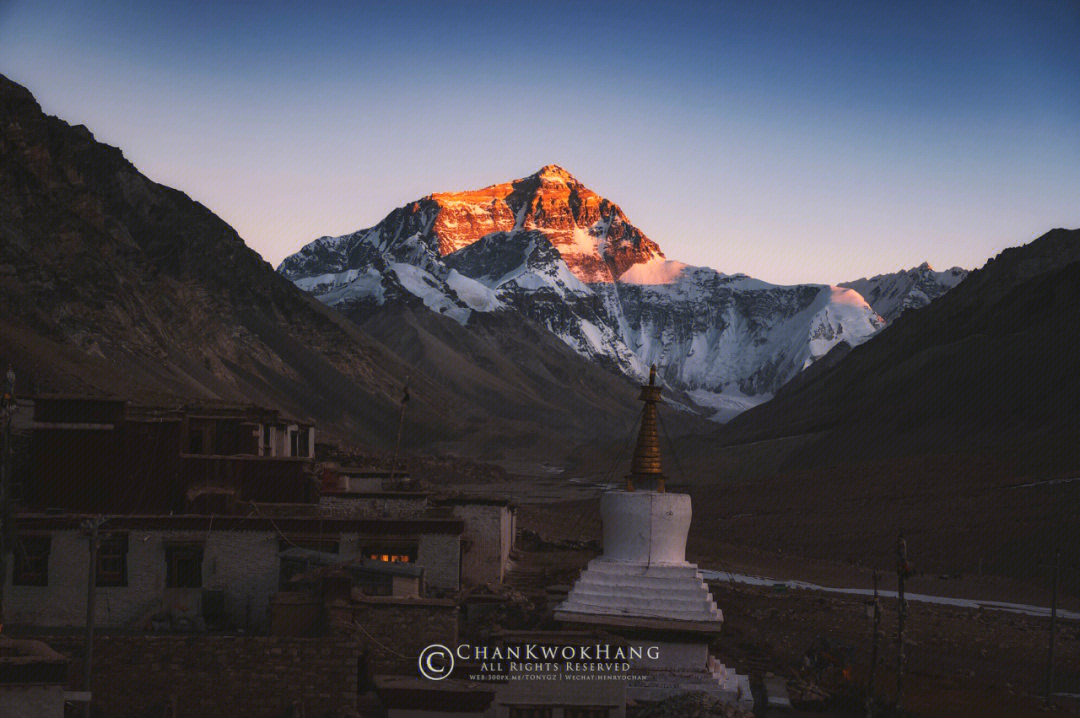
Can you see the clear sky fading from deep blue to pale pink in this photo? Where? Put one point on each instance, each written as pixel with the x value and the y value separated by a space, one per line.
pixel 795 142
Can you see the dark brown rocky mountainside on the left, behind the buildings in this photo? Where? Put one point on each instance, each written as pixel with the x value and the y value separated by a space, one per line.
pixel 112 283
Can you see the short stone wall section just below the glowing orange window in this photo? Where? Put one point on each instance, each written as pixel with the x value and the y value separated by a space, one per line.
pixel 393 632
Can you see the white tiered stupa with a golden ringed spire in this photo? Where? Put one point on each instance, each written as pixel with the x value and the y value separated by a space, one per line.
pixel 644 589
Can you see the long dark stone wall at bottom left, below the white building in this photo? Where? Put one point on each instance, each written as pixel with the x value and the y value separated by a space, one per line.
pixel 212 676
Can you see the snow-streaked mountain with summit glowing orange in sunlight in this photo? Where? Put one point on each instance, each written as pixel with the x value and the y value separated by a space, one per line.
pixel 549 249
